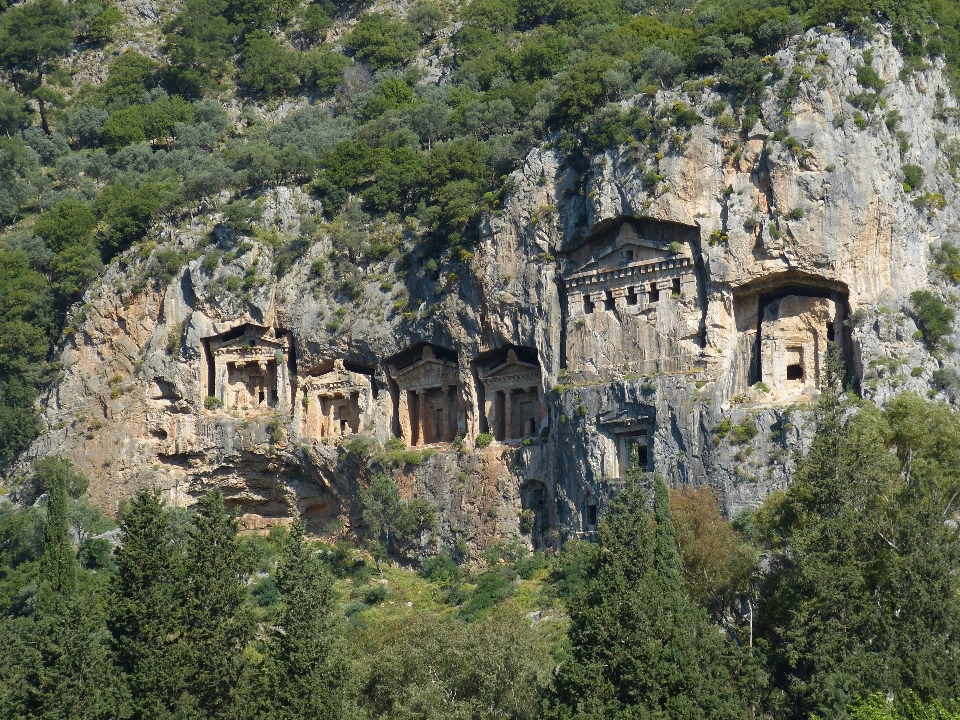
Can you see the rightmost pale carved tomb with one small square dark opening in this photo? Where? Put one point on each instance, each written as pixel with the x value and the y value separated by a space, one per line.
pixel 794 333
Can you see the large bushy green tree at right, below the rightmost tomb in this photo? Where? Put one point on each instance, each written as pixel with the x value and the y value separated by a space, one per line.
pixel 859 598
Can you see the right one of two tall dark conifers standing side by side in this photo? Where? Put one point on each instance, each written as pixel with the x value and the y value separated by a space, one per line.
pixel 217 621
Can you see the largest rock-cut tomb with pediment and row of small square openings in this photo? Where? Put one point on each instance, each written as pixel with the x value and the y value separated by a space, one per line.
pixel 632 299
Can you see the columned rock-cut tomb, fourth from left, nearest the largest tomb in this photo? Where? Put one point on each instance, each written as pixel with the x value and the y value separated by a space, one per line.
pixel 513 407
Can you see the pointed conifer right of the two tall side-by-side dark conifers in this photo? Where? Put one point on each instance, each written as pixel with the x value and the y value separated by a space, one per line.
pixel 306 667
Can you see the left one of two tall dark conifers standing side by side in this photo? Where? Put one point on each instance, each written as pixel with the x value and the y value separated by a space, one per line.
pixel 145 611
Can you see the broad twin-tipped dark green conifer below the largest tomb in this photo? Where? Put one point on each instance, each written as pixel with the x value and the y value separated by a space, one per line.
pixel 640 648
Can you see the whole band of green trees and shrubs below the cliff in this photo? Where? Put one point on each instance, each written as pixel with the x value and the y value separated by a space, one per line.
pixel 855 612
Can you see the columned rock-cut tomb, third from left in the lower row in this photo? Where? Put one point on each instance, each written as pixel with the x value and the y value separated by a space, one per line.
pixel 429 402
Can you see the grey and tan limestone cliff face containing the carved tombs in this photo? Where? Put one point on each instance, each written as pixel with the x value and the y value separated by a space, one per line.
pixel 672 300
